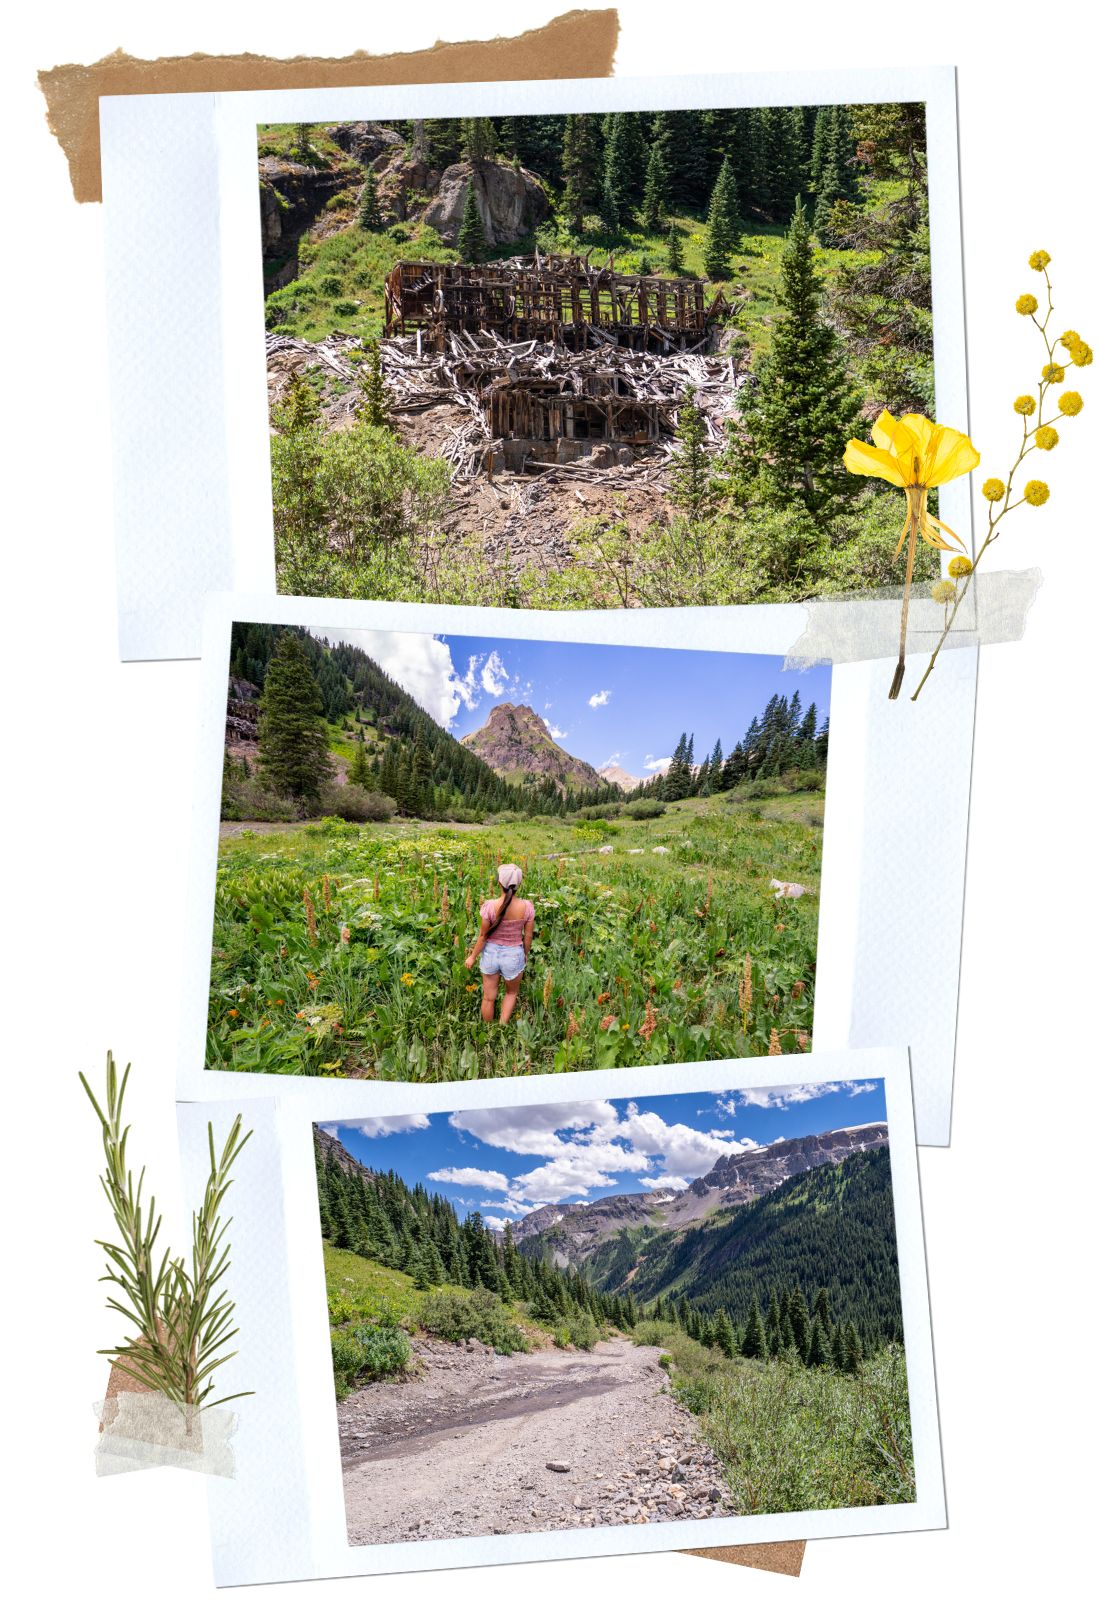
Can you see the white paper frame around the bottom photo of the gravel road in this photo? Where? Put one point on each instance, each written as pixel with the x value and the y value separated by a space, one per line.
pixel 282 1516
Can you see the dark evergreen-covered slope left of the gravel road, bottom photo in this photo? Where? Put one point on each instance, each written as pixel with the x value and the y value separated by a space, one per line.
pixel 378 1217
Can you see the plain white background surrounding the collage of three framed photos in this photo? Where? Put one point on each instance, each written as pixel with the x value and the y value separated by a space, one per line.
pixel 102 780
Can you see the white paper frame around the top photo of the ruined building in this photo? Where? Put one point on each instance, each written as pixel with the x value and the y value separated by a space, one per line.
pixel 186 306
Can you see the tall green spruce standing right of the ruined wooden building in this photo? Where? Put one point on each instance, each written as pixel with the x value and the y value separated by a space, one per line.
pixel 802 412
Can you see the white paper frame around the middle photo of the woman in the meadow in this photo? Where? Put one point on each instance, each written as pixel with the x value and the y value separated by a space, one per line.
pixel 895 847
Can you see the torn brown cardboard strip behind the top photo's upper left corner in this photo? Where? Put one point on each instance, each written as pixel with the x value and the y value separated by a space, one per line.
pixel 573 46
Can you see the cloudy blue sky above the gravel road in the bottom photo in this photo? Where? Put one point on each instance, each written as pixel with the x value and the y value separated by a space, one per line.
pixel 506 1162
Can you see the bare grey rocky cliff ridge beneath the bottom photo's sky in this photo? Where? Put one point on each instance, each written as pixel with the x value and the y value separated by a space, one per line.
pixel 572 1233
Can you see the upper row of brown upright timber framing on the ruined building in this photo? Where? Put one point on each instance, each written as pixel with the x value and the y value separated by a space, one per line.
pixel 559 300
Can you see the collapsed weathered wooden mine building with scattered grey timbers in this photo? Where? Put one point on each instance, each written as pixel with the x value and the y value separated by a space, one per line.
pixel 565 359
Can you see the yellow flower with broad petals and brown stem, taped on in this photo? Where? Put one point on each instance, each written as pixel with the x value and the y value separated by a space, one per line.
pixel 917 455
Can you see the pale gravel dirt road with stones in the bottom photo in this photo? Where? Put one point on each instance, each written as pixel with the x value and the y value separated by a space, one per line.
pixel 511 1444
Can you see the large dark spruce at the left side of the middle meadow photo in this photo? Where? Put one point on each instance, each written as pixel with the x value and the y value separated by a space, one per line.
pixel 293 737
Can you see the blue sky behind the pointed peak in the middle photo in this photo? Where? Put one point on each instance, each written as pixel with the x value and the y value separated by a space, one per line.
pixel 604 703
